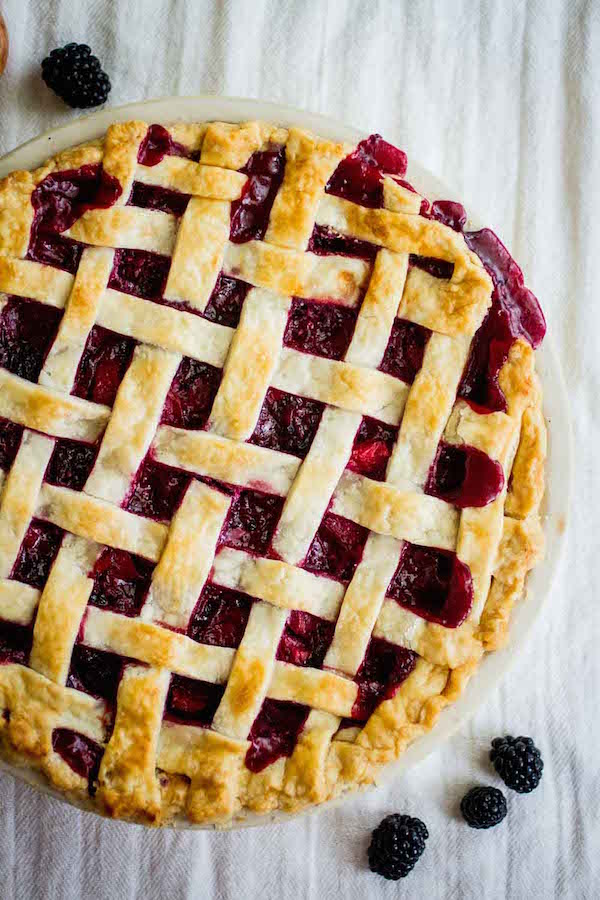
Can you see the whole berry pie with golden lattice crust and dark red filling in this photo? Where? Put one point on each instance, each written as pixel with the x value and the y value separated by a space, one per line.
pixel 272 453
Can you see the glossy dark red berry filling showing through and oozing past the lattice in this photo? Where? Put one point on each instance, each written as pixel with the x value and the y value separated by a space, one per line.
pixel 432 583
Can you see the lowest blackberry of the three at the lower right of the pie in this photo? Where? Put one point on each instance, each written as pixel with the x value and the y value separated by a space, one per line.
pixel 396 845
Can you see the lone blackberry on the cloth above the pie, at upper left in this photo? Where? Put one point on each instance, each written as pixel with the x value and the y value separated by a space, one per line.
pixel 76 76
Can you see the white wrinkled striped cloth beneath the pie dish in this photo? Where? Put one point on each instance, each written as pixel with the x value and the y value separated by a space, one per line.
pixel 502 100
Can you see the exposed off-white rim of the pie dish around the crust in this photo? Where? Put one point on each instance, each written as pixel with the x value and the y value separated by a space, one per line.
pixel 556 502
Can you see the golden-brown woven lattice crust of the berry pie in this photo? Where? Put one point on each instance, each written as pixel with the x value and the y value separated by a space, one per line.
pixel 153 770
